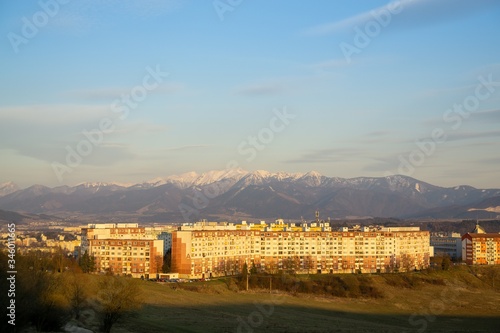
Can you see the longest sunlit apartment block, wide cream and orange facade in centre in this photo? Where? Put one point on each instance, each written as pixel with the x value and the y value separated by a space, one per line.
pixel 207 249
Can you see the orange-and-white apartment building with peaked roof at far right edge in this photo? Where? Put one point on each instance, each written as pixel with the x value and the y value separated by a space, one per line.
pixel 481 248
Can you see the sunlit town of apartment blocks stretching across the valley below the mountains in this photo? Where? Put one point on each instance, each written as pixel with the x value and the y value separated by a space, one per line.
pixel 204 249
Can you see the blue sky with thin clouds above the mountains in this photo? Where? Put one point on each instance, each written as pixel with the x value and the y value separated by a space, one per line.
pixel 127 91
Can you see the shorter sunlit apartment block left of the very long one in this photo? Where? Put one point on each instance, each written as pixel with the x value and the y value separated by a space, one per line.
pixel 126 248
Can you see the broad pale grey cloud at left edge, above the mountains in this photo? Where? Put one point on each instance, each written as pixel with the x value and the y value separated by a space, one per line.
pixel 44 132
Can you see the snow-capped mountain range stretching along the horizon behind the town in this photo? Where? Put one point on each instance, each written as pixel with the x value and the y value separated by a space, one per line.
pixel 238 194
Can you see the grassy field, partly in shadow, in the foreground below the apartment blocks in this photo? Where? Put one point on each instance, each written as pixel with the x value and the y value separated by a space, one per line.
pixel 466 303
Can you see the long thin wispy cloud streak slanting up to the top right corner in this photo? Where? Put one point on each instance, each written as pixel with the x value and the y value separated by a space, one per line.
pixel 411 13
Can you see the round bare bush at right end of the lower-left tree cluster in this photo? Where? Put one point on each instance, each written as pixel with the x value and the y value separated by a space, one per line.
pixel 117 296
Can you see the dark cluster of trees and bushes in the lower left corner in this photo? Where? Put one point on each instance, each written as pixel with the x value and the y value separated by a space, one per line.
pixel 52 289
